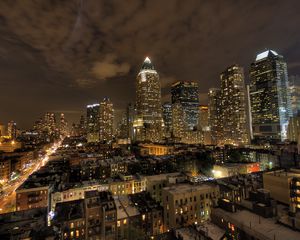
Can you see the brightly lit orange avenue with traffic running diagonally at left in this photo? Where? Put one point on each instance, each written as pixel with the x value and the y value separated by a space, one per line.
pixel 8 199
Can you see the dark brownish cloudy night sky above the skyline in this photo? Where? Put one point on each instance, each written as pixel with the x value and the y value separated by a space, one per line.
pixel 62 55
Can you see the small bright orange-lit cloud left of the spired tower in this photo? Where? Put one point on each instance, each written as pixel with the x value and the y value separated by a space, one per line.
pixel 109 68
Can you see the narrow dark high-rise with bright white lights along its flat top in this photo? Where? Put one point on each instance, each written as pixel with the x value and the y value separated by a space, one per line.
pixel 92 122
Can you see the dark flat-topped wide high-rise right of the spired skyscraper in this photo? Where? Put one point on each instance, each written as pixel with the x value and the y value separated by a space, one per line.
pixel 187 94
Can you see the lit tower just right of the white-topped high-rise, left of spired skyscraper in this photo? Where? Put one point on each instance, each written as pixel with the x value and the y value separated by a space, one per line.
pixel 106 117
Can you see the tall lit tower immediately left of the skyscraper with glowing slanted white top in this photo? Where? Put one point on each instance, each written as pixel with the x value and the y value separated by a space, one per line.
pixel 233 106
